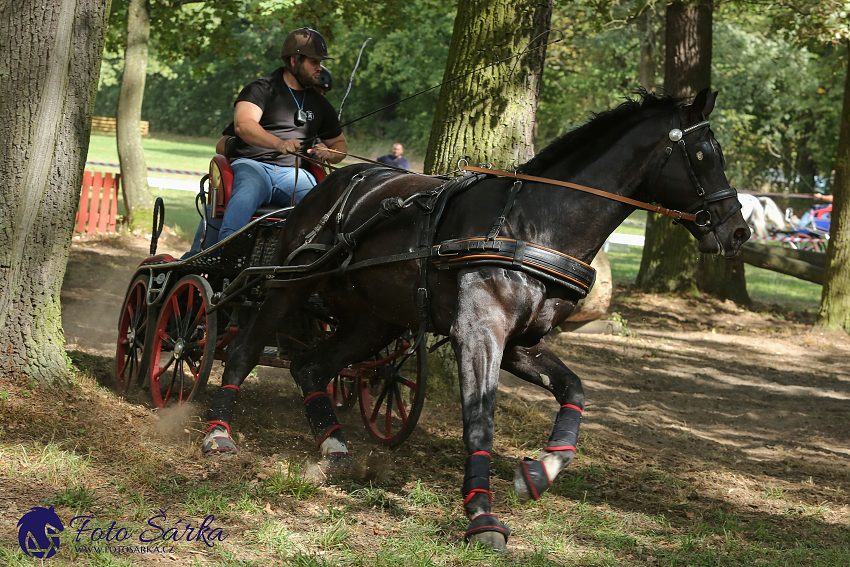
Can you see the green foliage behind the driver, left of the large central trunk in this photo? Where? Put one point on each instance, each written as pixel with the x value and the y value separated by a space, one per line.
pixel 194 77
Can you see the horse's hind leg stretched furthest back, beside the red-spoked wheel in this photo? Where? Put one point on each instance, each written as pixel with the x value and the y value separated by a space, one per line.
pixel 243 354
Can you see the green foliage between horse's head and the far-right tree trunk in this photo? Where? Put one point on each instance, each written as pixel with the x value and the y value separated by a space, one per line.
pixel 779 107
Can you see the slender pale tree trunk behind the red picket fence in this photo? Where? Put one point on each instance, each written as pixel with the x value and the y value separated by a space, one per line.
pixel 134 173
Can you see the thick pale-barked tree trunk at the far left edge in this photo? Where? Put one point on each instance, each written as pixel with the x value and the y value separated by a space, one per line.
pixel 50 67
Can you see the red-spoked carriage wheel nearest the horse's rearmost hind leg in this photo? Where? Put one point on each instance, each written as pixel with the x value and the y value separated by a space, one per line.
pixel 183 344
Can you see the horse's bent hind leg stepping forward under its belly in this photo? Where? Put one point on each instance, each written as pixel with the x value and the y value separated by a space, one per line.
pixel 353 341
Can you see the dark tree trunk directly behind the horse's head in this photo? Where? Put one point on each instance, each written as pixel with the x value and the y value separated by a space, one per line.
pixel 670 255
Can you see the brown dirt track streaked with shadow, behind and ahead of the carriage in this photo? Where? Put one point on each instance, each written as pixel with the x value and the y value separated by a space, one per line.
pixel 699 384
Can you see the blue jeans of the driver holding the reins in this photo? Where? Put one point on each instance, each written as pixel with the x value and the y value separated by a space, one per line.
pixel 256 184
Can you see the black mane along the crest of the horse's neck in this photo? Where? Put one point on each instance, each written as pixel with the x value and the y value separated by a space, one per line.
pixel 598 126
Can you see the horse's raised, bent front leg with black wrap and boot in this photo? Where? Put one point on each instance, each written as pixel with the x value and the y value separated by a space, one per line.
pixel 541 366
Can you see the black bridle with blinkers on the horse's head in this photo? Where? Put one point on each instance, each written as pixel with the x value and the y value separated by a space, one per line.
pixel 700 206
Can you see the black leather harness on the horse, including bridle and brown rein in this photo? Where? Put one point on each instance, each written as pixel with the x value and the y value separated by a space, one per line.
pixel 551 266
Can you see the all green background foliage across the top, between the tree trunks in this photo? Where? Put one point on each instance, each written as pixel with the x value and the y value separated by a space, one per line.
pixel 780 80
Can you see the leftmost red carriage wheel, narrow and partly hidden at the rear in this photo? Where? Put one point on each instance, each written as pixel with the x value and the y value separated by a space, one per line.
pixel 131 357
